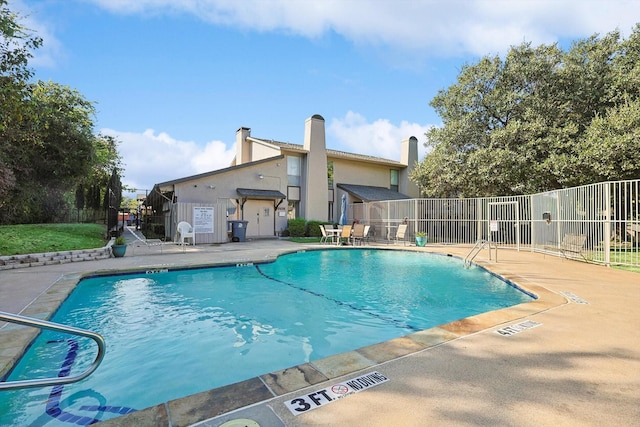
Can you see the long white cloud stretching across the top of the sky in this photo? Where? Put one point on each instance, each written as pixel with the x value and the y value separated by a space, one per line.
pixel 454 27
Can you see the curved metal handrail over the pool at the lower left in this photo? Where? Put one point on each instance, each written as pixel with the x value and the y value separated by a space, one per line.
pixel 43 324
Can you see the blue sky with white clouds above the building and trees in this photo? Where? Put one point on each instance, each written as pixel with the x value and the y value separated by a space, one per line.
pixel 173 80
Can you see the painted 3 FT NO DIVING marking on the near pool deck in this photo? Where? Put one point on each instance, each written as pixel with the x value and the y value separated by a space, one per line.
pixel 308 402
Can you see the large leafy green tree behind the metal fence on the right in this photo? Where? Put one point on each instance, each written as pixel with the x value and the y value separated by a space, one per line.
pixel 536 120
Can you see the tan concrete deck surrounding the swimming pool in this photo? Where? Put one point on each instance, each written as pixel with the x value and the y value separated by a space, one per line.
pixel 579 366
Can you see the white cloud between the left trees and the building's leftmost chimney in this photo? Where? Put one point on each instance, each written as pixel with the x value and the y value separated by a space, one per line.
pixel 150 158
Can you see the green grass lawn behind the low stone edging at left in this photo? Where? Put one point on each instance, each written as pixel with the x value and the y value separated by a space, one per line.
pixel 38 238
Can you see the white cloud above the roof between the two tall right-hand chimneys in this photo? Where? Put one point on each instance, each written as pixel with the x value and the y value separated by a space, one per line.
pixel 378 138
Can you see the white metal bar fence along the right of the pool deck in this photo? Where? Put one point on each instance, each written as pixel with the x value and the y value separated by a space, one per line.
pixel 596 223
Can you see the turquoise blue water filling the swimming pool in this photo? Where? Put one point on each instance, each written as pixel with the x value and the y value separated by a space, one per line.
pixel 175 333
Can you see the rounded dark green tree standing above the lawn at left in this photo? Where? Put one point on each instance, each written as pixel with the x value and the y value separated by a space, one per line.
pixel 53 153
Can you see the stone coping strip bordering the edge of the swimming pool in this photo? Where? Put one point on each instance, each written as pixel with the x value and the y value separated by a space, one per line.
pixel 209 404
